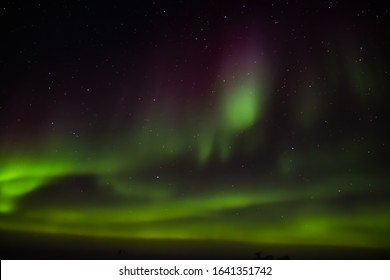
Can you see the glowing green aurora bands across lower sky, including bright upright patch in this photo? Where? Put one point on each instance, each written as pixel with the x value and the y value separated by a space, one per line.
pixel 253 210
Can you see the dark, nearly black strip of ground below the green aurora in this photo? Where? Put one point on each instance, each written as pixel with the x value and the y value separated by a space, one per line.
pixel 16 245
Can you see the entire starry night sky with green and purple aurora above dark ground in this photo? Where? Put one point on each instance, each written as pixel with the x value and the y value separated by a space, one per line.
pixel 252 122
